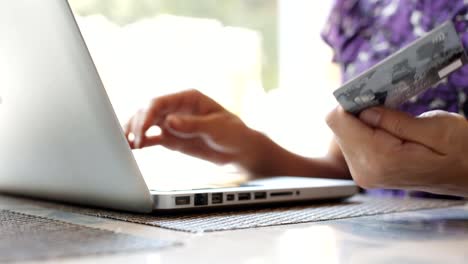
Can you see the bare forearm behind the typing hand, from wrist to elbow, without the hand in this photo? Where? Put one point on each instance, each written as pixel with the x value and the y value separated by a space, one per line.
pixel 267 158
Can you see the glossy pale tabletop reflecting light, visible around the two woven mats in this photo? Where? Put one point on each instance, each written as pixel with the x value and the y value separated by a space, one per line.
pixel 426 236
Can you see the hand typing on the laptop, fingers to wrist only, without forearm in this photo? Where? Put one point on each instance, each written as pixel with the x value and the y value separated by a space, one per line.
pixel 194 124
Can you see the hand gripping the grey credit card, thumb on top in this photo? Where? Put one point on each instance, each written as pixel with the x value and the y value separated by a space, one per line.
pixel 390 149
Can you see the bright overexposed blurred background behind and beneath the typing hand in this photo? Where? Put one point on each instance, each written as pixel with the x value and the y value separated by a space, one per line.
pixel 262 59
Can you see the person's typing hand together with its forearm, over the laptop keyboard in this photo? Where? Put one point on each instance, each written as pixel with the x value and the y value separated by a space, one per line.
pixel 194 124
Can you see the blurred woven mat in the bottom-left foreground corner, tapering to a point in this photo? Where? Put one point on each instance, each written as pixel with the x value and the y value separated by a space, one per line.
pixel 26 237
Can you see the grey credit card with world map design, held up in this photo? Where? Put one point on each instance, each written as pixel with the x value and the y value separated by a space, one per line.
pixel 406 73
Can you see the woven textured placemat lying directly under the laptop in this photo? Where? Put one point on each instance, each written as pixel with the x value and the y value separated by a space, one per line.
pixel 252 218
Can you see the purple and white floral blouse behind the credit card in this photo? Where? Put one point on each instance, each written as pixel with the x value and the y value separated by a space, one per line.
pixel 363 32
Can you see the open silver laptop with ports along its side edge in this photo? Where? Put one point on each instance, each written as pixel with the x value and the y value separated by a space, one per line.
pixel 60 138
